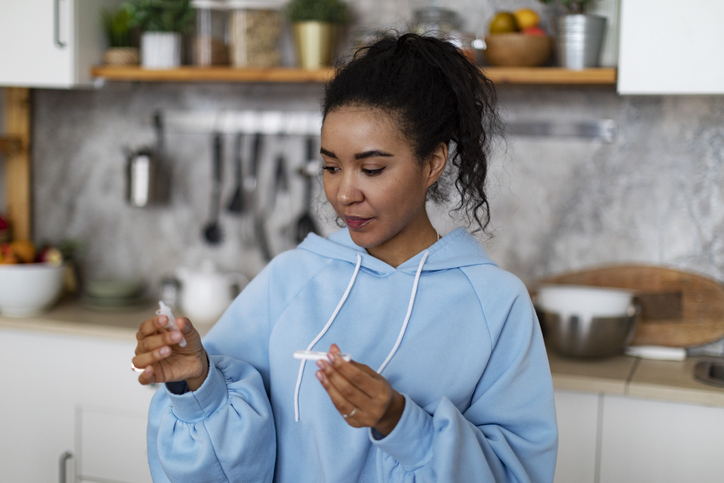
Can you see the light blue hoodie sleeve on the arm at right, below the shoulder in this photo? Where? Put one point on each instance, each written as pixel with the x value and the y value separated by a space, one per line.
pixel 509 431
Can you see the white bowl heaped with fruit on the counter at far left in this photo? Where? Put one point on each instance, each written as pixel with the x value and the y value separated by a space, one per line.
pixel 31 281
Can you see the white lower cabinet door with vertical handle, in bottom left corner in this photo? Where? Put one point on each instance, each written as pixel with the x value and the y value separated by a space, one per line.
pixel 39 379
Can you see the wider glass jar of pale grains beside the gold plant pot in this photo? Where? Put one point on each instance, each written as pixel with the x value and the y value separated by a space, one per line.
pixel 254 30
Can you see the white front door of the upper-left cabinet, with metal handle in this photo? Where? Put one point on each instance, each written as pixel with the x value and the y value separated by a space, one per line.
pixel 36 43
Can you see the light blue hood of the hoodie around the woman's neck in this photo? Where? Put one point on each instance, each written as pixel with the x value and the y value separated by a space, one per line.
pixel 457 249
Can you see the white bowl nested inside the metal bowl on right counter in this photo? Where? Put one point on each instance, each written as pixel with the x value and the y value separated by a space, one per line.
pixel 585 302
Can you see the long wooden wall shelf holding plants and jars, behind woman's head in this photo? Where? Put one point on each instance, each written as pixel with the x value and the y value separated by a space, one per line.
pixel 499 75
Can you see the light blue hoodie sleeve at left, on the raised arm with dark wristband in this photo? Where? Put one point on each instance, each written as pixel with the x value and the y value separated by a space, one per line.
pixel 224 431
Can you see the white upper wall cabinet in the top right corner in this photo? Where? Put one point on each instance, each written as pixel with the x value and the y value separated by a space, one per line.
pixel 671 47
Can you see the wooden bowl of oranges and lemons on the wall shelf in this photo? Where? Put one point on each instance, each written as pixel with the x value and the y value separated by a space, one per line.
pixel 517 40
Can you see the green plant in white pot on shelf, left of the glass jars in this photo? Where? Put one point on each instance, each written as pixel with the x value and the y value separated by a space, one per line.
pixel 162 22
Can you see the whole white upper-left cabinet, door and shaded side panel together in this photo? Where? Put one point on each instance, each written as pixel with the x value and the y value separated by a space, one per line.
pixel 50 43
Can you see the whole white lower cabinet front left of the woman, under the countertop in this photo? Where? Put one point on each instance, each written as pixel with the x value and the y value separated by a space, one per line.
pixel 72 394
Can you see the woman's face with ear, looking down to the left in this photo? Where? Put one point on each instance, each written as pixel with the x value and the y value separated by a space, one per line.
pixel 373 180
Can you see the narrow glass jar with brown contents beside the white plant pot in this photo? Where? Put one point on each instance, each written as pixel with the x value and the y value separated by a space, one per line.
pixel 211 41
